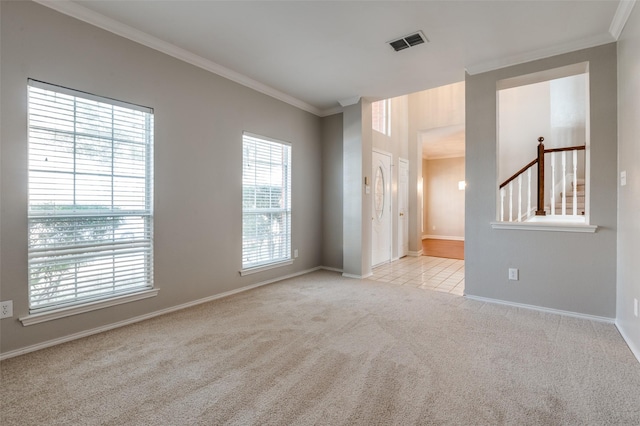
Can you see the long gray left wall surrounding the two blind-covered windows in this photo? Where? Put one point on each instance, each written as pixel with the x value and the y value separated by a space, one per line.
pixel 199 121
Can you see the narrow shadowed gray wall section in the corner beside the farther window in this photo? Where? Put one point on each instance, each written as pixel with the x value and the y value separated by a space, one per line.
pixel 332 191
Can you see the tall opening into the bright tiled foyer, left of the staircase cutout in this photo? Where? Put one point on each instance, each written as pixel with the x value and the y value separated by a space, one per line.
pixel 434 120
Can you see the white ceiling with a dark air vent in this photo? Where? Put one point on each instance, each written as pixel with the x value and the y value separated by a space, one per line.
pixel 313 54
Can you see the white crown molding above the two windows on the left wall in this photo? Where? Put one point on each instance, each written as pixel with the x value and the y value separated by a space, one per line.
pixel 98 20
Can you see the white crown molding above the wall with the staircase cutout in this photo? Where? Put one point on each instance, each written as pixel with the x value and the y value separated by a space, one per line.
pixel 540 54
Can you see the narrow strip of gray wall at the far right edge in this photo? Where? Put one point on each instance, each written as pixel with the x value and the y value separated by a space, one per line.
pixel 629 195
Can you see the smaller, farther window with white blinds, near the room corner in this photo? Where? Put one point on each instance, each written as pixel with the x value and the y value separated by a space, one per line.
pixel 266 202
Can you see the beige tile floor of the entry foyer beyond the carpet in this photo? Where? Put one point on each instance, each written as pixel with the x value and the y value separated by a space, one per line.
pixel 431 273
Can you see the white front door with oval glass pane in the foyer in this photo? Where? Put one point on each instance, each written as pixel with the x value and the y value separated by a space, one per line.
pixel 381 209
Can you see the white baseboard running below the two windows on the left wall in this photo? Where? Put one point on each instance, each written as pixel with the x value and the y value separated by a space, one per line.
pixel 150 315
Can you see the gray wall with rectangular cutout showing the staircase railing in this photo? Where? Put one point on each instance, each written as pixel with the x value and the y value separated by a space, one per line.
pixel 568 271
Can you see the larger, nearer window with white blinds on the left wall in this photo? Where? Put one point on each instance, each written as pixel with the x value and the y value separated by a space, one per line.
pixel 90 197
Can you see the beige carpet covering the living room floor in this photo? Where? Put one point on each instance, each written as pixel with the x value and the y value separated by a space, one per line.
pixel 321 349
